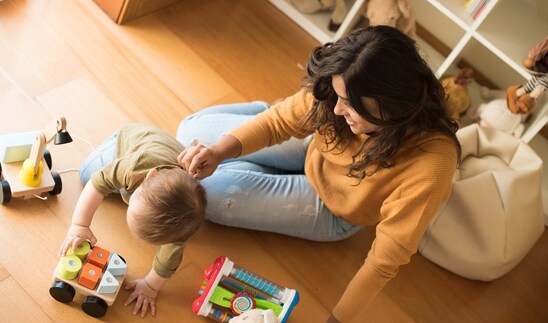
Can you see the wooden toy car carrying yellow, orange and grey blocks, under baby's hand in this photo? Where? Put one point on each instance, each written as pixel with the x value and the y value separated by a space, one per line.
pixel 93 272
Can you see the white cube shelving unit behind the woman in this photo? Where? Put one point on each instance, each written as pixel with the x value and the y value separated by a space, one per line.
pixel 495 43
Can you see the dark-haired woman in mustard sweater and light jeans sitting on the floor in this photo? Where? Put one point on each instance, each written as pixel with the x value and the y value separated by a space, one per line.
pixel 366 141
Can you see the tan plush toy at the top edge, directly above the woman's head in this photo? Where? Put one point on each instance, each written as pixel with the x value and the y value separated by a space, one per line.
pixel 395 13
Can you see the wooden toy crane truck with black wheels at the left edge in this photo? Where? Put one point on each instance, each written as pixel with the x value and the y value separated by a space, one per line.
pixel 25 163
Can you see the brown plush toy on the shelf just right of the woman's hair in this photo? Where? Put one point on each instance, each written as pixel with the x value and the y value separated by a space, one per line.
pixel 456 89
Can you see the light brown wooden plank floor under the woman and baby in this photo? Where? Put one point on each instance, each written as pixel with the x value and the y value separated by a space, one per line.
pixel 67 57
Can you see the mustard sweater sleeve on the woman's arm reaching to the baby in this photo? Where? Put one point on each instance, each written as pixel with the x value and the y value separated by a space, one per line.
pixel 277 124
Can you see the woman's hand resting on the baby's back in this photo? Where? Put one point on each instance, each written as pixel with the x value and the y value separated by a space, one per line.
pixel 199 161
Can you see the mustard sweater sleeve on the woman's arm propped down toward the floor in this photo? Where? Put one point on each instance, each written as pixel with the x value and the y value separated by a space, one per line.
pixel 422 189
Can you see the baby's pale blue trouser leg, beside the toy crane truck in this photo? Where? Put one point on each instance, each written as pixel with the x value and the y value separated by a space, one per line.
pixel 99 157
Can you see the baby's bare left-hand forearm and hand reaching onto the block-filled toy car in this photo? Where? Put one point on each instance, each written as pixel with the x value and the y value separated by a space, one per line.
pixel 79 230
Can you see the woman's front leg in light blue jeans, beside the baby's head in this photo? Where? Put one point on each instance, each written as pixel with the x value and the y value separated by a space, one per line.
pixel 240 194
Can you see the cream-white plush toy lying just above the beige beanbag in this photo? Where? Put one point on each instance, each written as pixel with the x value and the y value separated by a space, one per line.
pixel 495 114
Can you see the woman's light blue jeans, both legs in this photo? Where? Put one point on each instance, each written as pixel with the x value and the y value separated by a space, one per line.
pixel 266 190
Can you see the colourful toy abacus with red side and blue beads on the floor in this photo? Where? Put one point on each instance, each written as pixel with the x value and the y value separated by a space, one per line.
pixel 229 290
